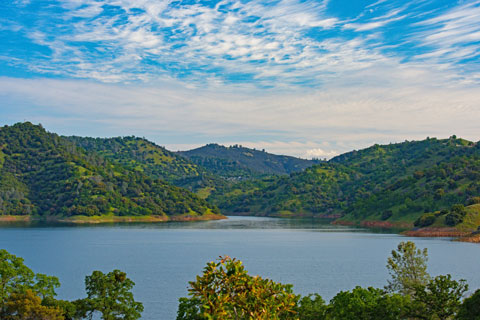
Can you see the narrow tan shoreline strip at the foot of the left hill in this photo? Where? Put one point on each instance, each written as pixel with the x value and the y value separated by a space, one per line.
pixel 110 219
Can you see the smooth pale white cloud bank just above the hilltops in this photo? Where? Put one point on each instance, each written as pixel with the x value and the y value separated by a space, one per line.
pixel 334 119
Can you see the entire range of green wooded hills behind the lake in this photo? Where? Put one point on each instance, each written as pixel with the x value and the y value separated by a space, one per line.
pixel 428 183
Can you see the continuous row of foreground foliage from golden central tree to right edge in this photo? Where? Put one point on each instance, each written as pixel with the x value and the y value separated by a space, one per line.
pixel 226 291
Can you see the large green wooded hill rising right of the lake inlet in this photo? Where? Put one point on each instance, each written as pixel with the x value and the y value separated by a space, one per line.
pixel 396 183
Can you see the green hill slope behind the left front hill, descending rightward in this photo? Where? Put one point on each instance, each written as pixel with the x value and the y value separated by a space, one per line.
pixel 154 161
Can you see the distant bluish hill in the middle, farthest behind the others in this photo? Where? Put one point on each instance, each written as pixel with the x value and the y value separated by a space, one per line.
pixel 237 162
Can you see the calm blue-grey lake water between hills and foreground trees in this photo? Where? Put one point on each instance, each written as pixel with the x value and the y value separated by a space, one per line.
pixel 162 258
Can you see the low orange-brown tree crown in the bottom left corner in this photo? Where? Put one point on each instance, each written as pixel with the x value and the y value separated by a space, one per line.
pixel 27 306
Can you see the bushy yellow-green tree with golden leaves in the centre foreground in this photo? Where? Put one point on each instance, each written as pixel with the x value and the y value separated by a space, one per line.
pixel 227 291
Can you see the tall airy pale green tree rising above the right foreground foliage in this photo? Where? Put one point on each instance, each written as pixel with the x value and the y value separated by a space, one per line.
pixel 408 268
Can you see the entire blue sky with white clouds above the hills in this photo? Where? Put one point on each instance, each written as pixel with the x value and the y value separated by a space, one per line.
pixel 303 78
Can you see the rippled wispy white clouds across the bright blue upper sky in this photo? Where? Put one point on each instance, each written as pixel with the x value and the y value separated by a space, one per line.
pixel 271 44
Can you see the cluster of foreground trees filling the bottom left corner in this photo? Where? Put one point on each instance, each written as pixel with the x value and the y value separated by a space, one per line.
pixel 26 295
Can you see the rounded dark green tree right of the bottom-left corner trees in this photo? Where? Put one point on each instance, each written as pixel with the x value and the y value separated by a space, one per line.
pixel 110 294
